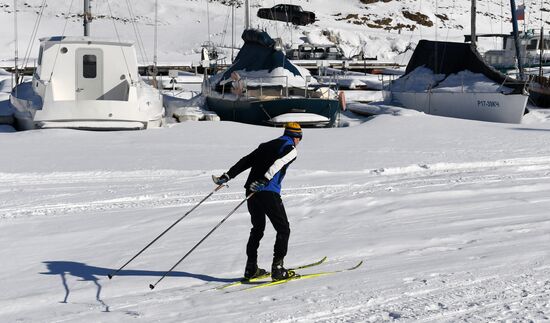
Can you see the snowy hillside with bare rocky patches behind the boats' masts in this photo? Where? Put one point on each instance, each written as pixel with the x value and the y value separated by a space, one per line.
pixel 386 29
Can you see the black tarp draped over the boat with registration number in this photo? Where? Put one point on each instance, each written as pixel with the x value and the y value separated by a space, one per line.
pixel 450 58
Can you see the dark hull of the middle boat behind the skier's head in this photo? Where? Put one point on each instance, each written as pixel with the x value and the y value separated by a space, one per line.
pixel 260 112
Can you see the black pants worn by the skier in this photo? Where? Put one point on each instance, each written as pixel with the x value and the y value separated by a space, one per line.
pixel 259 205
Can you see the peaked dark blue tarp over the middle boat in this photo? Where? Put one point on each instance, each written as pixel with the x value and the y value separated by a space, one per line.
pixel 259 54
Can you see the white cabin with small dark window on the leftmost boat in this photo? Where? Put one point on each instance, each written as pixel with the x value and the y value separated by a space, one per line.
pixel 78 68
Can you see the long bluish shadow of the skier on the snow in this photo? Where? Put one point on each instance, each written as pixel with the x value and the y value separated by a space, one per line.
pixel 93 274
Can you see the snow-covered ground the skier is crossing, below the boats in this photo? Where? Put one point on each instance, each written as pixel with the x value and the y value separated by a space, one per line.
pixel 450 217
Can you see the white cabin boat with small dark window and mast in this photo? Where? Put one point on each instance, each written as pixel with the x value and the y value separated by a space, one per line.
pixel 86 83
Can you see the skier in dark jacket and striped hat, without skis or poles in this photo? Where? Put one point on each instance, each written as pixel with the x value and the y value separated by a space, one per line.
pixel 268 164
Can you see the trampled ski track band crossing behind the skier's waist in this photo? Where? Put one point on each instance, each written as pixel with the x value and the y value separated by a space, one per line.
pixel 72 192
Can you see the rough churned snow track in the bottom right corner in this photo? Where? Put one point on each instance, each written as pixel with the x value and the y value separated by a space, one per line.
pixel 447 298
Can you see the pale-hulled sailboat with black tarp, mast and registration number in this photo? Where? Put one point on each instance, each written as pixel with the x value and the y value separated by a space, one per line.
pixel 452 80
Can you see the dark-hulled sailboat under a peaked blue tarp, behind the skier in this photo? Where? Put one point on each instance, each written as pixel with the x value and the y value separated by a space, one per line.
pixel 264 87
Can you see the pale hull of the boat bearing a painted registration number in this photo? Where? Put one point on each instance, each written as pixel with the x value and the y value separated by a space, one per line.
pixel 491 107
